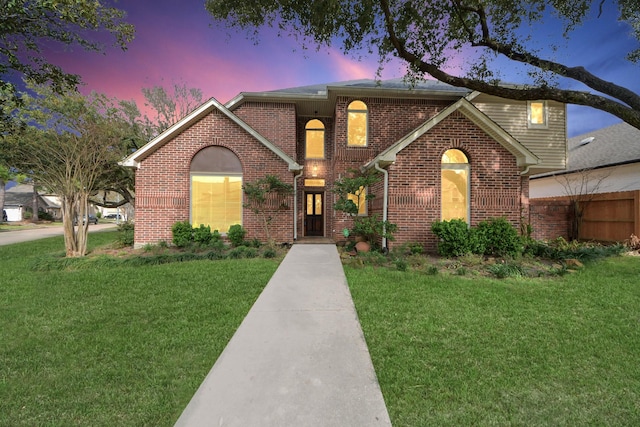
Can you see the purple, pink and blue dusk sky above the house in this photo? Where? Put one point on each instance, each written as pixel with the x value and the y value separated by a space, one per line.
pixel 180 42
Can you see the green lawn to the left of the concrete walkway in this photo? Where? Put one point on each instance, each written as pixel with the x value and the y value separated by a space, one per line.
pixel 113 346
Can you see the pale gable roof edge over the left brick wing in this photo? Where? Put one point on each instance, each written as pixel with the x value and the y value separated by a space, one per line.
pixel 149 148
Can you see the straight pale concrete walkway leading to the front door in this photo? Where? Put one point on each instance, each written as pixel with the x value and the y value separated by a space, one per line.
pixel 299 357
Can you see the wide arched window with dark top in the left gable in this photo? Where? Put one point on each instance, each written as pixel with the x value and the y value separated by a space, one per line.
pixel 216 189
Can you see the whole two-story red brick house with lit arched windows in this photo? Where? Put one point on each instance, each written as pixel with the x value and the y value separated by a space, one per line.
pixel 441 152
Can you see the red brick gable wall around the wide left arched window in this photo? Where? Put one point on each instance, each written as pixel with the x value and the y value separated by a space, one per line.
pixel 163 180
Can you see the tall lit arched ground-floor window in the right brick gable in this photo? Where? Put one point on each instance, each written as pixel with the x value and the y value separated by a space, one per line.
pixel 455 185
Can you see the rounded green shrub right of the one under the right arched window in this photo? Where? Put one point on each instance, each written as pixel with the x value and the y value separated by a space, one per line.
pixel 499 238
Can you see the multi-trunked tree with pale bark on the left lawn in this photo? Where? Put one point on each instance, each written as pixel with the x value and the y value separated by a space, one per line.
pixel 71 148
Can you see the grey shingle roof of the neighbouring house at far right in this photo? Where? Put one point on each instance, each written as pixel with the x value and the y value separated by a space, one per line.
pixel 609 146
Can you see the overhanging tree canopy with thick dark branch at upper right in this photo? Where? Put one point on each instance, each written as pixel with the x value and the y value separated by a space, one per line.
pixel 430 35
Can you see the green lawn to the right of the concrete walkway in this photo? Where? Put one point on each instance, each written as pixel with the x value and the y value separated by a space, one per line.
pixel 461 351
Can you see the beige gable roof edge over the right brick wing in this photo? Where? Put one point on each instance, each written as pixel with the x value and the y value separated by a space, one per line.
pixel 523 155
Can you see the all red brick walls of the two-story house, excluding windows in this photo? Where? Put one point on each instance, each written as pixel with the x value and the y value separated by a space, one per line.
pixel 497 189
